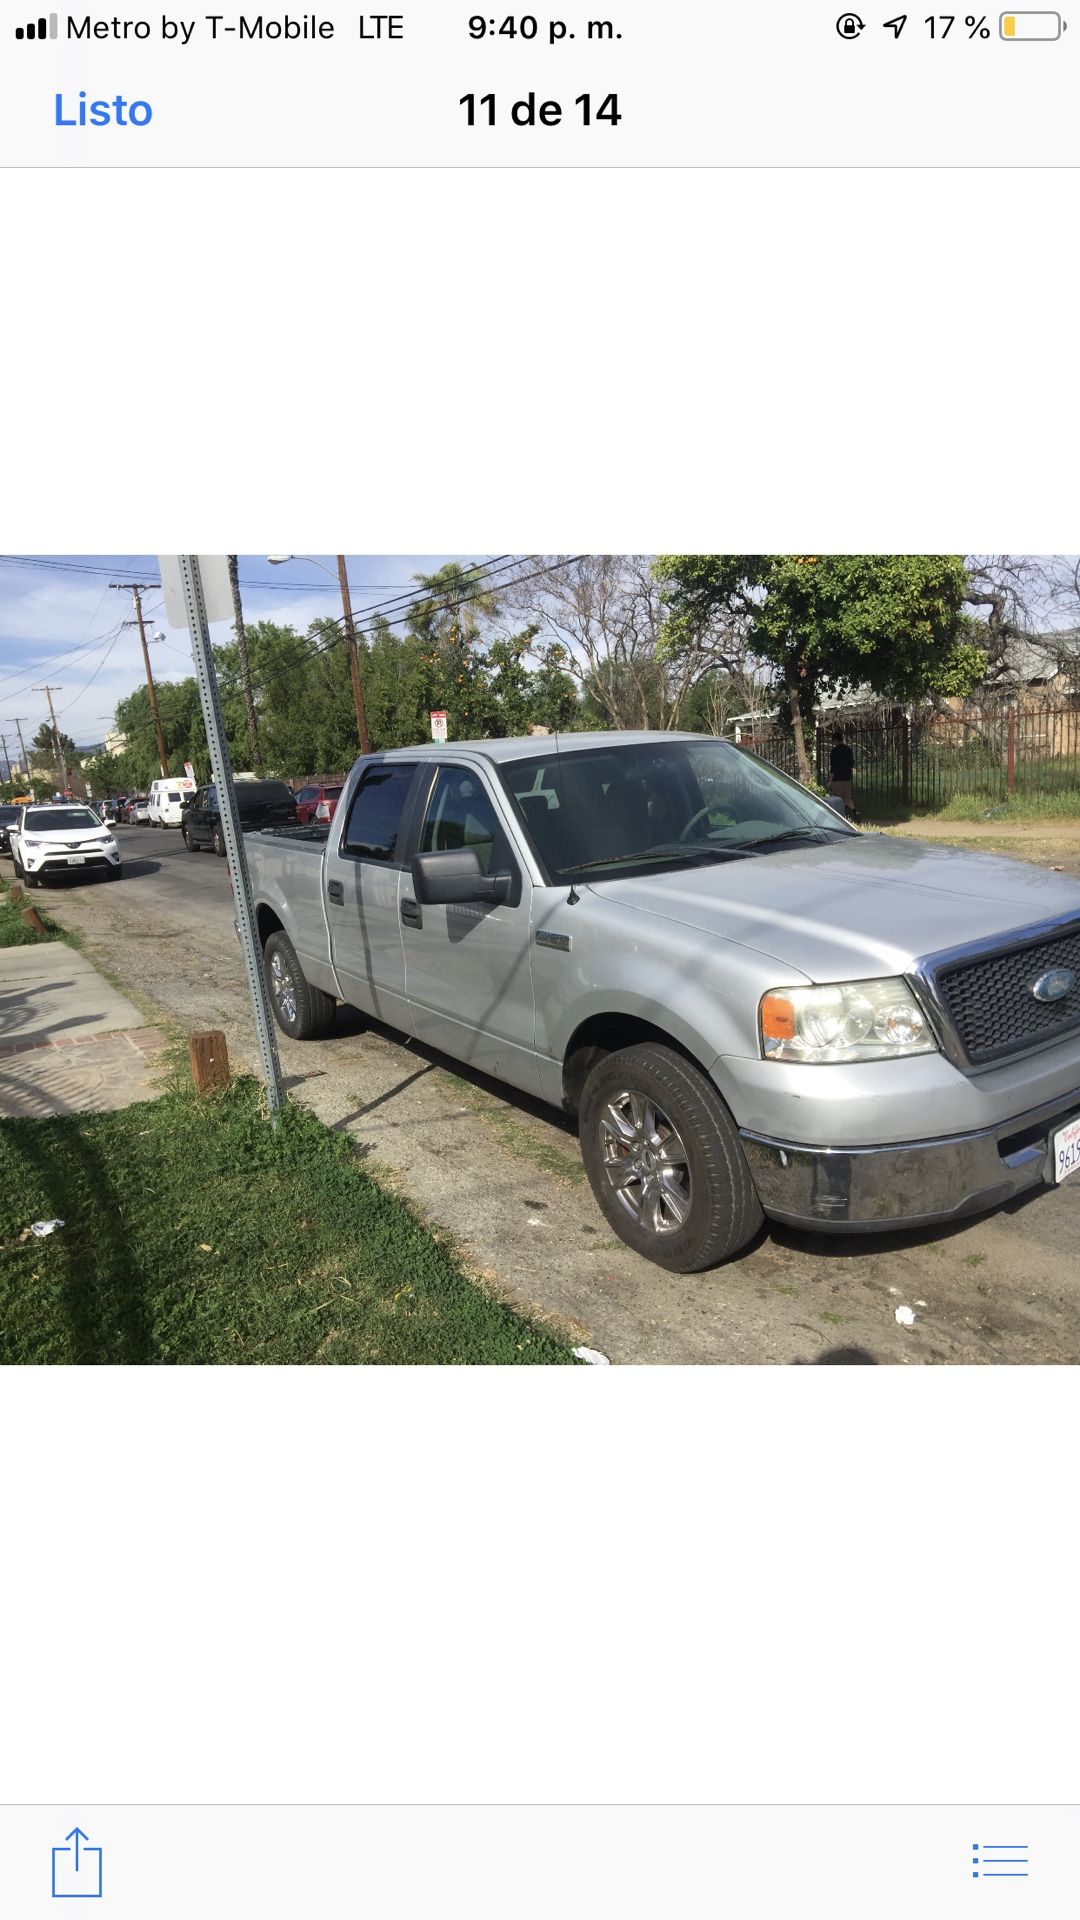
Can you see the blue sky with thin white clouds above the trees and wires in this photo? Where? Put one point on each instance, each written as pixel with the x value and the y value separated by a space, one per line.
pixel 62 623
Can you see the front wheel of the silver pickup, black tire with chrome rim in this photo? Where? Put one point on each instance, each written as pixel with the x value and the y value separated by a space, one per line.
pixel 708 1209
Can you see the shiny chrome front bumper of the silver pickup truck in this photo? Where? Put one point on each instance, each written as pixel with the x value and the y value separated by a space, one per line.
pixel 858 1189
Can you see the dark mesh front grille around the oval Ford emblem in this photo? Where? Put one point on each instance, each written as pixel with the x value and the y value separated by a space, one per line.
pixel 993 1005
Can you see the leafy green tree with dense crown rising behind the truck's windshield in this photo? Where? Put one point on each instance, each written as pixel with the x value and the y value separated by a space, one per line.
pixel 833 623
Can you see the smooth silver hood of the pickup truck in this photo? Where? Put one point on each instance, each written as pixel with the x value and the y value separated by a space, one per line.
pixel 856 909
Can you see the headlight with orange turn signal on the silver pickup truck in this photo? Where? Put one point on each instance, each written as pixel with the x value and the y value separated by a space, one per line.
pixel 858 1020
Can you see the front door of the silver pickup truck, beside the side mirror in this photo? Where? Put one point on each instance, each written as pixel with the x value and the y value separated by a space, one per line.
pixel 468 969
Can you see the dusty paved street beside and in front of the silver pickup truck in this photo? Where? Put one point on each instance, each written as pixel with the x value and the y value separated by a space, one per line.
pixel 503 1176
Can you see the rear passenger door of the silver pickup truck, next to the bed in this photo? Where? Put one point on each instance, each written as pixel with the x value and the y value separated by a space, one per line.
pixel 362 878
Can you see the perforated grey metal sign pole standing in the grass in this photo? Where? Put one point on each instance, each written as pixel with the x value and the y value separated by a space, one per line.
pixel 207 681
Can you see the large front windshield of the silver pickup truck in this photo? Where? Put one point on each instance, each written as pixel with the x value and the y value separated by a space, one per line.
pixel 647 804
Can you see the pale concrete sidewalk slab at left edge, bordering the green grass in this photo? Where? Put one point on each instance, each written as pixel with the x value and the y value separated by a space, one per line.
pixel 70 1044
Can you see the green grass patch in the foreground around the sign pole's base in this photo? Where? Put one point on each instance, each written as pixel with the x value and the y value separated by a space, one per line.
pixel 195 1234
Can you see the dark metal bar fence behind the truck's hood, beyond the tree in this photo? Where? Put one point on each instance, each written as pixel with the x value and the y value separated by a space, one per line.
pixel 925 759
